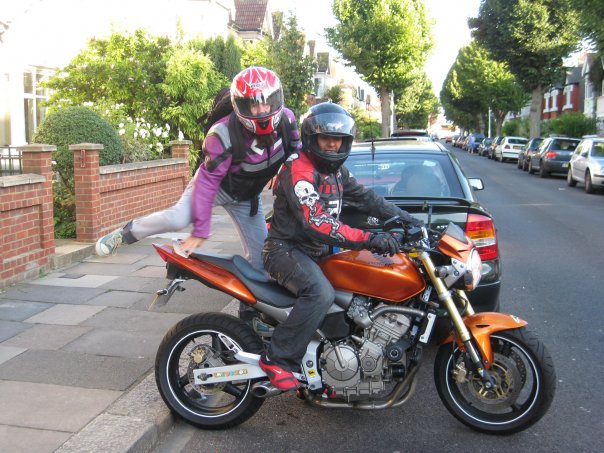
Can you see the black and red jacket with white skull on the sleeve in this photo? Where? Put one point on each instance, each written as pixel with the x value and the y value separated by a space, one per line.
pixel 308 203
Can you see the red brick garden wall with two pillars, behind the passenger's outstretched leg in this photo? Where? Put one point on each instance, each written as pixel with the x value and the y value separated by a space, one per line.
pixel 108 197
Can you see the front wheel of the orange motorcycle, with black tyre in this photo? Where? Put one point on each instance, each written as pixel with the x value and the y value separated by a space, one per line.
pixel 526 384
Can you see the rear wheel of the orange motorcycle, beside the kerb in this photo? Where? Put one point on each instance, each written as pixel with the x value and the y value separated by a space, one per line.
pixel 217 406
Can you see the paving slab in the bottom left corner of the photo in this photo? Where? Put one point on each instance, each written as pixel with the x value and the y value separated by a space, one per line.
pixel 15 439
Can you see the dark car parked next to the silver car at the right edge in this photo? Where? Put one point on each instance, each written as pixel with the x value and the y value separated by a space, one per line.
pixel 552 156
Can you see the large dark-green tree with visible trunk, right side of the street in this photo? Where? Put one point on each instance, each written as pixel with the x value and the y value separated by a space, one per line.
pixel 532 36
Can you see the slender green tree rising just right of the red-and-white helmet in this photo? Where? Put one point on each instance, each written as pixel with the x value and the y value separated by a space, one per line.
pixel 295 69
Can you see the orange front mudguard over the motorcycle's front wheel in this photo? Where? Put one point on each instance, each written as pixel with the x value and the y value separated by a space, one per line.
pixel 482 325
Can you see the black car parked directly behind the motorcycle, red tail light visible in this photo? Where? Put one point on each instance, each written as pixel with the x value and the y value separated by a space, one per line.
pixel 425 179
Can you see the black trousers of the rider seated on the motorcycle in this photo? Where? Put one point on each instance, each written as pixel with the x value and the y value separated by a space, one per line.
pixel 301 275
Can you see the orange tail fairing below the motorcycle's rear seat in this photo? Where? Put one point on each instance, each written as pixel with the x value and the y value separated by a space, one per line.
pixel 207 272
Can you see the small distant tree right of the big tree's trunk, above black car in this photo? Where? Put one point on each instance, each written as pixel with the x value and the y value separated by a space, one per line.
pixel 416 103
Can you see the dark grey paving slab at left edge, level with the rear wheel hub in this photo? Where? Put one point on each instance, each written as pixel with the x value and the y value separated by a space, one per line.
pixel 74 369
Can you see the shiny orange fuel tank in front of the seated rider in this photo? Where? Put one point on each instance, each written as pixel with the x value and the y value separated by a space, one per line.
pixel 393 278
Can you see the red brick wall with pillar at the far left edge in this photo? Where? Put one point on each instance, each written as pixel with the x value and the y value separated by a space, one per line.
pixel 26 217
